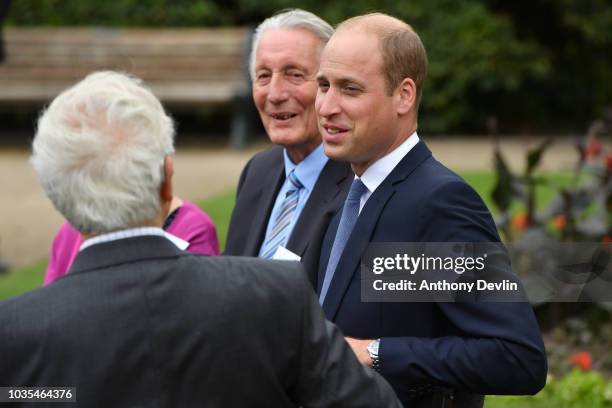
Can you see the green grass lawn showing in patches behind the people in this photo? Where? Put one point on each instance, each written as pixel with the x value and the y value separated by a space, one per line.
pixel 220 208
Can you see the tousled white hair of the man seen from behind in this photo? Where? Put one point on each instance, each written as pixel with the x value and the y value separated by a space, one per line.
pixel 99 152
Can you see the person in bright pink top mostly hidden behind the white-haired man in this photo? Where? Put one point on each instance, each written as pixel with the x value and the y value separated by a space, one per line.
pixel 186 221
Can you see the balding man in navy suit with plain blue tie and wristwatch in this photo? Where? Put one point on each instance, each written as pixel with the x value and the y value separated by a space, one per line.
pixel 370 82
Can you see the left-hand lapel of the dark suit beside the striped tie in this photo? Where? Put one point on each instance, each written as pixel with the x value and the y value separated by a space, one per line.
pixel 267 196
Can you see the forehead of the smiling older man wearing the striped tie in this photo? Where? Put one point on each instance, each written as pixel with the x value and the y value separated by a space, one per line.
pixel 283 47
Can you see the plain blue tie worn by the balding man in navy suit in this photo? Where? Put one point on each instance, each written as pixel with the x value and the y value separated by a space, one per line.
pixel 350 212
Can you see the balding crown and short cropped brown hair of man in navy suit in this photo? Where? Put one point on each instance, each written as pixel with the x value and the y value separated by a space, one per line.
pixel 403 54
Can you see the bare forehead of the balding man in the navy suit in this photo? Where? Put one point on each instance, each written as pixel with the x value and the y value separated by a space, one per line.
pixel 354 52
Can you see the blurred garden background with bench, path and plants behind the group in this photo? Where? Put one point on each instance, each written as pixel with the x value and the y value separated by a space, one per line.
pixel 518 100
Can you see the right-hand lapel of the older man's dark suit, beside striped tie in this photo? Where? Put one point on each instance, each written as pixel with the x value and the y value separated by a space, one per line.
pixel 320 204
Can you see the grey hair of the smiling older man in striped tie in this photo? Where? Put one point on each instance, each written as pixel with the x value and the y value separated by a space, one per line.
pixel 290 19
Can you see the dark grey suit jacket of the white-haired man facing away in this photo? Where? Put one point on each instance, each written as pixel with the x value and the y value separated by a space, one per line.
pixel 138 323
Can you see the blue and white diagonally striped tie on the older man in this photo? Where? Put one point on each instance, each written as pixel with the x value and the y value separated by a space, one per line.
pixel 279 234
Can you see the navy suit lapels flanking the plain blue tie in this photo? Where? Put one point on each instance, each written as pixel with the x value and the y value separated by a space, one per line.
pixel 364 229
